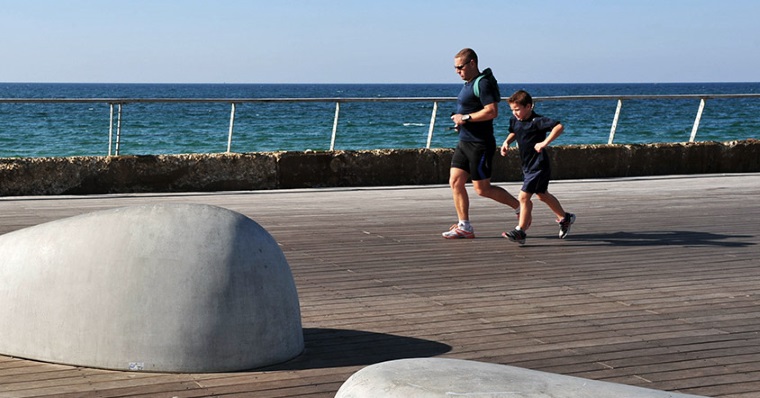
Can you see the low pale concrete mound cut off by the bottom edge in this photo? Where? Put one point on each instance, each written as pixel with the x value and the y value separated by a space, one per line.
pixel 440 377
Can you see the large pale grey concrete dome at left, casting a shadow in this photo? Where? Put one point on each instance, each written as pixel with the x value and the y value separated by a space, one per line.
pixel 169 288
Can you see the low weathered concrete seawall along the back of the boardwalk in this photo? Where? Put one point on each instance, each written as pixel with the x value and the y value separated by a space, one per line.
pixel 283 170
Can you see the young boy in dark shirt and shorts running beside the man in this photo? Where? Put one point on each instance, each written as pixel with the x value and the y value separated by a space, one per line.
pixel 529 129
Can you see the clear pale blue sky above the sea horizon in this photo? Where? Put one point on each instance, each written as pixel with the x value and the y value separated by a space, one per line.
pixel 389 41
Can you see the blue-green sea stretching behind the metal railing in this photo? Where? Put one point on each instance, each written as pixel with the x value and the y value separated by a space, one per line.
pixel 84 129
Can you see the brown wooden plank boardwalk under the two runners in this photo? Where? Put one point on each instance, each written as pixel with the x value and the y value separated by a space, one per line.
pixel 657 286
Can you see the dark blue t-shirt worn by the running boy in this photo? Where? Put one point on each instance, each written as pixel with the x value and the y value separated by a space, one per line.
pixel 528 133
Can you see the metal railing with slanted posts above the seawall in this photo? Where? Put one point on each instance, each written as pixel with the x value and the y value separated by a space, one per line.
pixel 118 103
